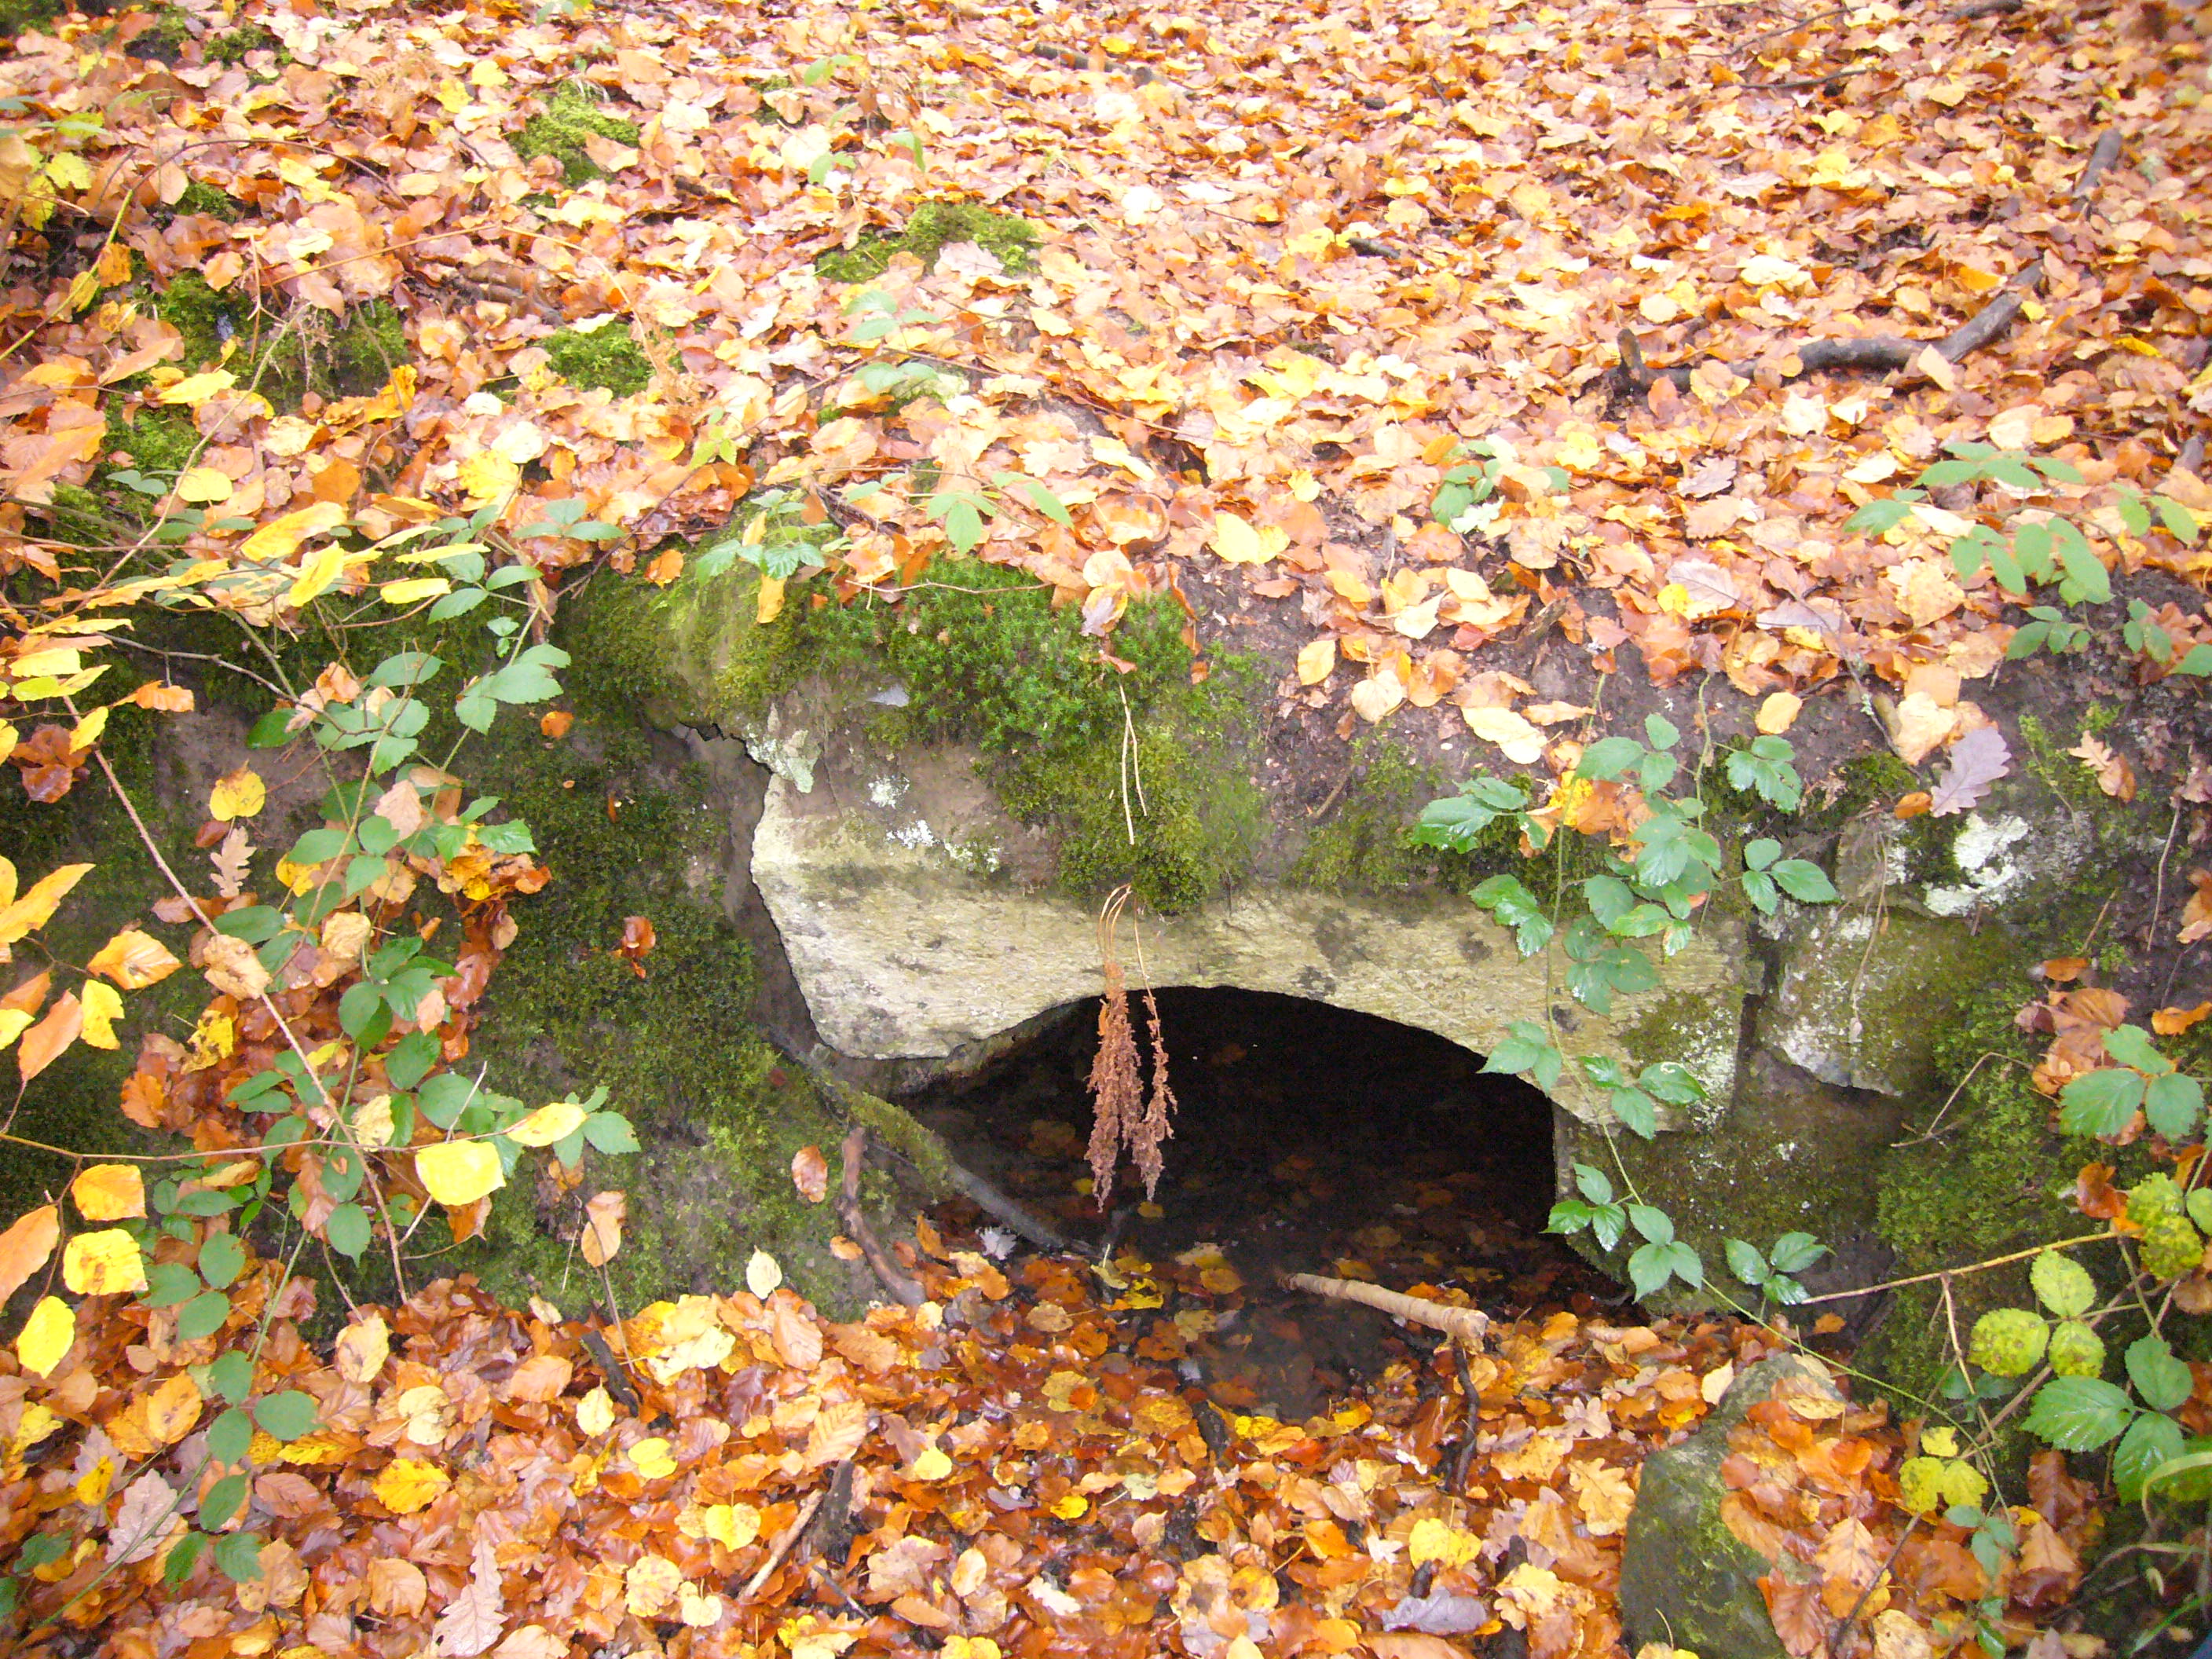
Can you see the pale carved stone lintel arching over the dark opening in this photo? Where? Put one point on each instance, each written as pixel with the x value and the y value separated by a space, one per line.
pixel 912 935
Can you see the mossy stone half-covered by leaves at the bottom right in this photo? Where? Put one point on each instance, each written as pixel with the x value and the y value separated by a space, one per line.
pixel 1687 1580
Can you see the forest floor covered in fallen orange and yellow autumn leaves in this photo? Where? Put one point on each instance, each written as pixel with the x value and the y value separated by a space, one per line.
pixel 1291 275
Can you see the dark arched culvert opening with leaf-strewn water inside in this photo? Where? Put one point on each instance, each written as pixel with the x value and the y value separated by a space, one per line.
pixel 1308 1140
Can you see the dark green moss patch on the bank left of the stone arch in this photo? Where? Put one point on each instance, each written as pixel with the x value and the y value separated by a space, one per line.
pixel 718 1114
